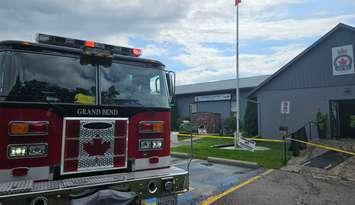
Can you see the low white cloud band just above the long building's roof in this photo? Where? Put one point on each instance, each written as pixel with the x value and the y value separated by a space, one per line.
pixel 250 65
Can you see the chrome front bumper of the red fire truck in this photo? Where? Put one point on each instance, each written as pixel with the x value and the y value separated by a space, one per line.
pixel 133 181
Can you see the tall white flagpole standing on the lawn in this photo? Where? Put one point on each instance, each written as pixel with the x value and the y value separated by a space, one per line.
pixel 237 75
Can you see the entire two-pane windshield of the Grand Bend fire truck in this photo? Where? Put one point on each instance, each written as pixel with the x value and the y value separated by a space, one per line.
pixel 38 77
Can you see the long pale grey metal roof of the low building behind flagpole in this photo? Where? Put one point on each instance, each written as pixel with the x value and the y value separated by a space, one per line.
pixel 249 82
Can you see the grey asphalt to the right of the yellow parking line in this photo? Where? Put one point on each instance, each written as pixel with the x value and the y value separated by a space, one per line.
pixel 283 187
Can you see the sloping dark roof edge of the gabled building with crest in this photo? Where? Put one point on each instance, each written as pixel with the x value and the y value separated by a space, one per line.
pixel 298 57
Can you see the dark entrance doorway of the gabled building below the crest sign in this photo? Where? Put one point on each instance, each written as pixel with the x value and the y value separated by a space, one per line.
pixel 347 118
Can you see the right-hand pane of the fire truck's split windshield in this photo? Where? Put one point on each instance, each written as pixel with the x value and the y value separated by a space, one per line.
pixel 133 85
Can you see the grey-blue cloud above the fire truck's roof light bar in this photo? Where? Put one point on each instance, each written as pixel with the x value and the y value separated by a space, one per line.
pixel 87 19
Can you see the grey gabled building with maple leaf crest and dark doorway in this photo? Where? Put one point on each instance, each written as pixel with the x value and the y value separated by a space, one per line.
pixel 319 79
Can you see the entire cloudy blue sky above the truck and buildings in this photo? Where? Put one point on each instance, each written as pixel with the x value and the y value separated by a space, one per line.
pixel 194 38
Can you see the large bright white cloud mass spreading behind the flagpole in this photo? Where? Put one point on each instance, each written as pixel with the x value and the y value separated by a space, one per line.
pixel 207 24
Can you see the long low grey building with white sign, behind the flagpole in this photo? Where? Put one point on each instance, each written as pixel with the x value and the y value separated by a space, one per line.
pixel 215 97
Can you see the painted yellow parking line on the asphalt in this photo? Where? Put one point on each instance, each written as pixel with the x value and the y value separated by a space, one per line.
pixel 212 199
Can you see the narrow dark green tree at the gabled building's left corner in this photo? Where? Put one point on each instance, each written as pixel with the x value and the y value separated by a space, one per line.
pixel 251 119
